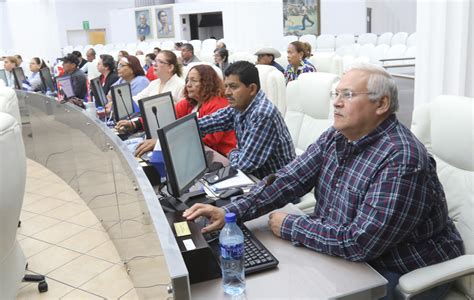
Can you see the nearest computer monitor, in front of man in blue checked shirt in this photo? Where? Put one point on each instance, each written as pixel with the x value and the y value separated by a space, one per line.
pixel 183 153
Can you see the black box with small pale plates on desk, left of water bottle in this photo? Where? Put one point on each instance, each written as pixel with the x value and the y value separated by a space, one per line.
pixel 197 255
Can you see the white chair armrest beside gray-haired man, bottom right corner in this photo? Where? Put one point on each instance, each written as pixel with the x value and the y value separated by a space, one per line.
pixel 425 278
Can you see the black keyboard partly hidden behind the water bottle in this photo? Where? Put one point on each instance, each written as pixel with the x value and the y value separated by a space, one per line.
pixel 257 257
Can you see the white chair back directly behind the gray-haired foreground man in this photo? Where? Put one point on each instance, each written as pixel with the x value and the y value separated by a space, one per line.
pixel 451 142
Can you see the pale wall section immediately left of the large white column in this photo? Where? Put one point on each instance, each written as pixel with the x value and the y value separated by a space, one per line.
pixel 393 16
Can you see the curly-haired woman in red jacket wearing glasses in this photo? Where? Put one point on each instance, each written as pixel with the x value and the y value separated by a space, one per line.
pixel 203 93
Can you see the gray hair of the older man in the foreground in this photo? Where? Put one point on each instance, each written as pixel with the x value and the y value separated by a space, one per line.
pixel 380 83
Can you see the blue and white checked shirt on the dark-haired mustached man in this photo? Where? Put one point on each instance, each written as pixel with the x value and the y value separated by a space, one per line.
pixel 264 143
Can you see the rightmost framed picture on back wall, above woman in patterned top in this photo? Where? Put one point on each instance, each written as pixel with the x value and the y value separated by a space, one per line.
pixel 301 17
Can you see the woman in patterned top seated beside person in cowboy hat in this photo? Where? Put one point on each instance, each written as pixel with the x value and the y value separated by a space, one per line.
pixel 297 54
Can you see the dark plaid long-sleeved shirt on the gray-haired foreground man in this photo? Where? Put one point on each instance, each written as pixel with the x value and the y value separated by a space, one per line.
pixel 379 200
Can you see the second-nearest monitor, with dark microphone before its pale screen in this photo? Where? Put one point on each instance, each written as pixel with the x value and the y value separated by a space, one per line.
pixel 164 109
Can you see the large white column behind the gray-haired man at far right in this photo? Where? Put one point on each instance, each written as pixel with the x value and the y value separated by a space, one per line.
pixel 444 59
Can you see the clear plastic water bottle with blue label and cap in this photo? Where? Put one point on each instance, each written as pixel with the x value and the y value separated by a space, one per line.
pixel 231 241
